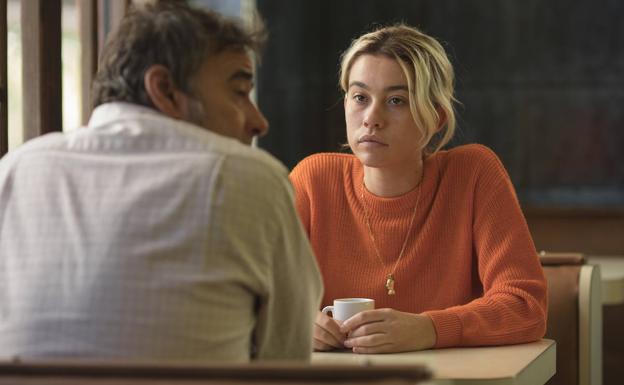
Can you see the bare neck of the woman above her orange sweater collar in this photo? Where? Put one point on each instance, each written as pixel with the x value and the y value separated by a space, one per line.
pixel 392 182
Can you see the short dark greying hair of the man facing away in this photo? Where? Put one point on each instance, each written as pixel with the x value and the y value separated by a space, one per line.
pixel 170 33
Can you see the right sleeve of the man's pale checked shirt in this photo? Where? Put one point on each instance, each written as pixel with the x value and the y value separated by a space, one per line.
pixel 289 291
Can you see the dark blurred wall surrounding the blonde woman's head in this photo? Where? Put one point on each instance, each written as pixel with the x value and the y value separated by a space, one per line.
pixel 540 82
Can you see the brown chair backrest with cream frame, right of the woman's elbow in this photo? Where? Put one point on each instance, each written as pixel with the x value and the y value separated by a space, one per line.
pixel 574 318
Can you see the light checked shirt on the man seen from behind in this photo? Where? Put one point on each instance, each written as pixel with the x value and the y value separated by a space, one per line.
pixel 145 237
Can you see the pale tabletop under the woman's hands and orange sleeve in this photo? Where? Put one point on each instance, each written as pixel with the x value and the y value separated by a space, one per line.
pixel 526 364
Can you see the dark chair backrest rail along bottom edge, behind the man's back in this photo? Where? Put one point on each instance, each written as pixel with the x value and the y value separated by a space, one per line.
pixel 84 372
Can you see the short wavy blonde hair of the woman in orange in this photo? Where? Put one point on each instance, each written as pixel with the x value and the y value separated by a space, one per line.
pixel 429 75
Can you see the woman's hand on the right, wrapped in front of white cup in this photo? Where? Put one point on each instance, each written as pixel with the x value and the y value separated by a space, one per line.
pixel 388 331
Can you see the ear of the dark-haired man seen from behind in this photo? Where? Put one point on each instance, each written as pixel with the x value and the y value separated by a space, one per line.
pixel 164 93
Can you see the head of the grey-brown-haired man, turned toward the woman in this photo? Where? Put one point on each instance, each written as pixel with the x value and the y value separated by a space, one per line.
pixel 188 63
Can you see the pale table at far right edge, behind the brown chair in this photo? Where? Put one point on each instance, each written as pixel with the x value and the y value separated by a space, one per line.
pixel 612 277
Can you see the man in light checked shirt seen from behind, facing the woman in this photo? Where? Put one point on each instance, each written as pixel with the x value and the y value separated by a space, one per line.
pixel 155 232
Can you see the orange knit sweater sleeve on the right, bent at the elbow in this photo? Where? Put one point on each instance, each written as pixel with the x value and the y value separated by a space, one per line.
pixel 513 306
